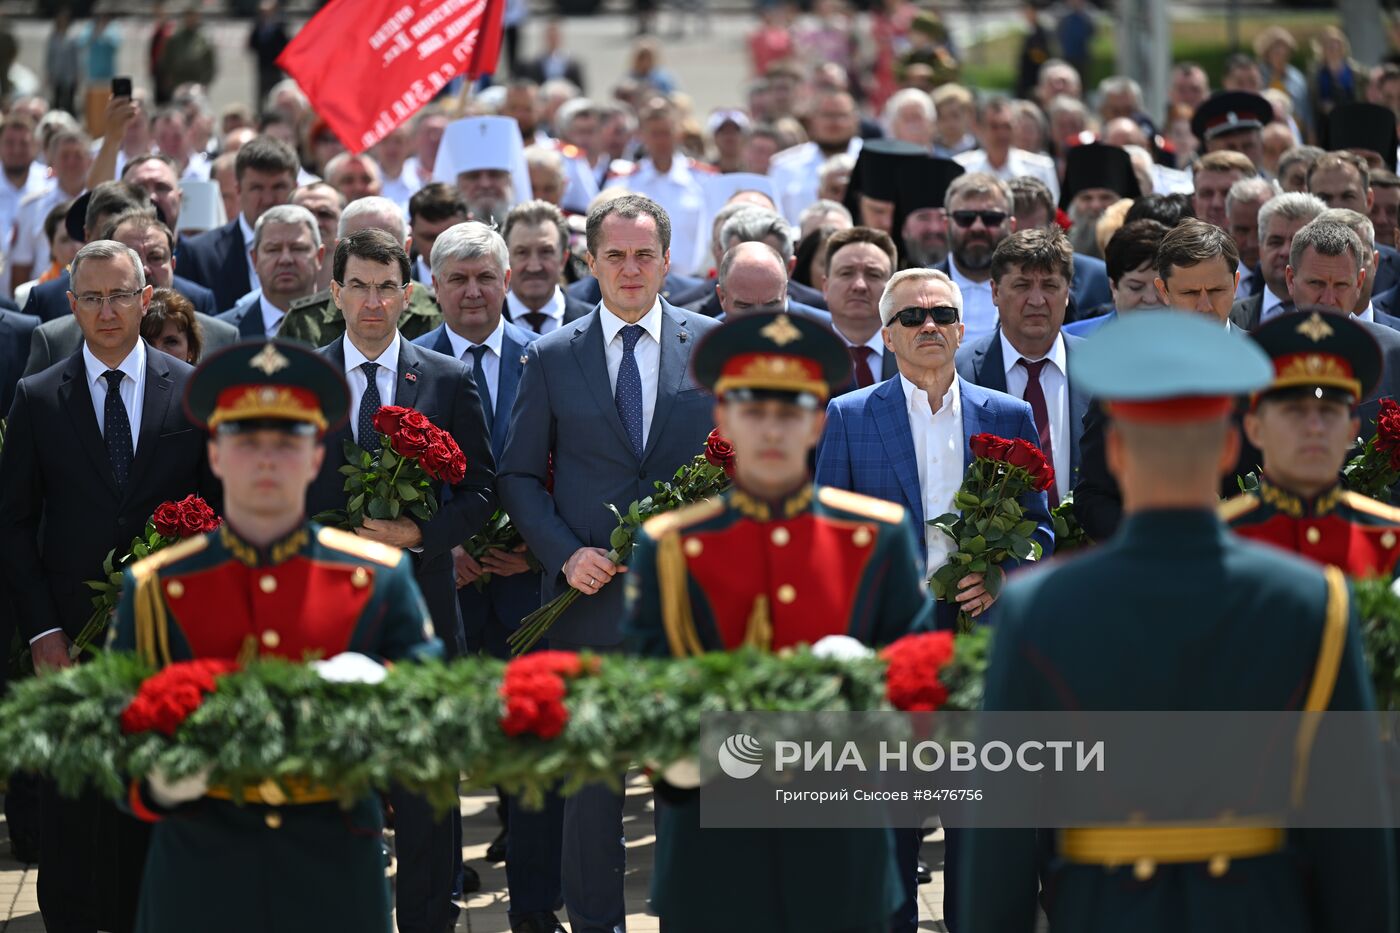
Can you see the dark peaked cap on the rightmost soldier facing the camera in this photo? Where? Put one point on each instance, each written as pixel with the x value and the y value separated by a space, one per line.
pixel 1321 354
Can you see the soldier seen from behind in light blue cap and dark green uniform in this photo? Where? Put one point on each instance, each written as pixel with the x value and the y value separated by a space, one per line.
pixel 1174 613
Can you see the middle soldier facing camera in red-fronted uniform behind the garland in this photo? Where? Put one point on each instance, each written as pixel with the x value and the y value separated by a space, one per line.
pixel 772 564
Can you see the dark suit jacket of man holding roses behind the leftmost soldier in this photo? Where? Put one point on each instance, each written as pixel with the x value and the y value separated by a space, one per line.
pixel 446 393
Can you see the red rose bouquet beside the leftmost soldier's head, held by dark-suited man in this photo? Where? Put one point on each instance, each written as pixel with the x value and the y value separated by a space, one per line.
pixel 398 480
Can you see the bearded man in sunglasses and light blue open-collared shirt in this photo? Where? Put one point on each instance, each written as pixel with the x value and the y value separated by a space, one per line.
pixel 979 219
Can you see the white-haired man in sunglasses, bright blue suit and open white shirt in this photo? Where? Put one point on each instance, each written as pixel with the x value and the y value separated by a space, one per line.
pixel 906 441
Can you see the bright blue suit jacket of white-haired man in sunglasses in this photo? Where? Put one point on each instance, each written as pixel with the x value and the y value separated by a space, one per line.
pixel 869 448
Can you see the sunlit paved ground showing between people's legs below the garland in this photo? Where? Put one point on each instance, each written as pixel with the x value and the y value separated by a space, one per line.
pixel 486 910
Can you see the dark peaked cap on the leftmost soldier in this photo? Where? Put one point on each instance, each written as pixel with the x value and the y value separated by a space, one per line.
pixel 272 385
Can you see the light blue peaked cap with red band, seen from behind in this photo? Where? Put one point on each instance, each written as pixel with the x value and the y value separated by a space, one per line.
pixel 1170 366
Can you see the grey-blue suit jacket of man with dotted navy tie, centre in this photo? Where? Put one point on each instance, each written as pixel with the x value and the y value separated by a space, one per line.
pixel 566 408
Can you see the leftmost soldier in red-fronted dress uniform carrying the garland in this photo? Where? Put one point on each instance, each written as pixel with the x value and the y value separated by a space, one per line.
pixel 268 583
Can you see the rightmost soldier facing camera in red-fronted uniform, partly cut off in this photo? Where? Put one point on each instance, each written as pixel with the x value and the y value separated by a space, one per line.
pixel 1304 424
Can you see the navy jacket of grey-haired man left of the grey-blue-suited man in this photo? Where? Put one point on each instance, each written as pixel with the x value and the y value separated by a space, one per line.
pixel 505 599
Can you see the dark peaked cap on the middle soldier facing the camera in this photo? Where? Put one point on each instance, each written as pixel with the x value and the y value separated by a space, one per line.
pixel 772 355
